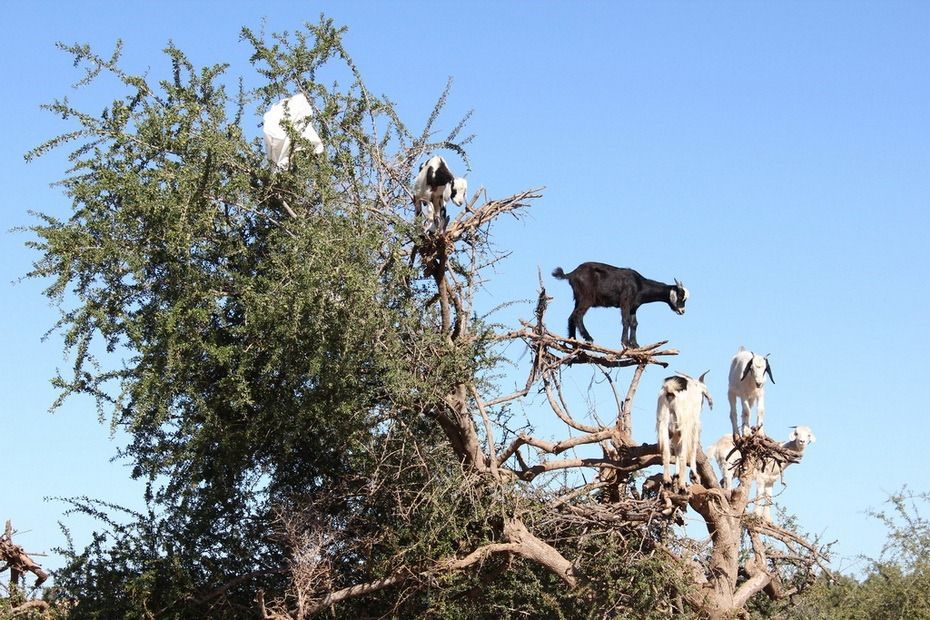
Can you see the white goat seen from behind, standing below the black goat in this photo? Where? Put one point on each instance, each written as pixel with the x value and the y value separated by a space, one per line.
pixel 678 423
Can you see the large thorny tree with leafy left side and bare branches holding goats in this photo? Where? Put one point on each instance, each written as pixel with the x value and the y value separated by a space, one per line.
pixel 313 397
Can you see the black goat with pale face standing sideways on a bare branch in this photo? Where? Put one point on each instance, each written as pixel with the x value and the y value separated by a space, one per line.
pixel 605 286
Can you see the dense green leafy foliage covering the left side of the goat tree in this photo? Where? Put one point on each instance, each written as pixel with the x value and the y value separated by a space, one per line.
pixel 273 341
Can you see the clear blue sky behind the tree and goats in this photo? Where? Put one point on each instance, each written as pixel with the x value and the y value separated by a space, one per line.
pixel 775 157
